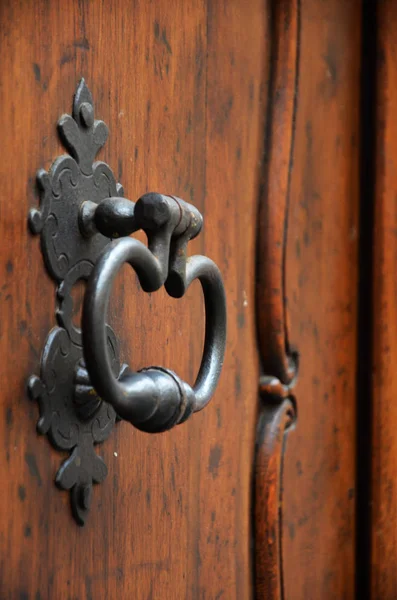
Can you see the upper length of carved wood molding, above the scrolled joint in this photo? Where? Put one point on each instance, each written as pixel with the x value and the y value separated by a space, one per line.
pixel 277 356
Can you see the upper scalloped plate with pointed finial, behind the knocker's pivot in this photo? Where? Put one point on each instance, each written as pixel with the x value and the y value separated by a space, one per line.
pixel 70 181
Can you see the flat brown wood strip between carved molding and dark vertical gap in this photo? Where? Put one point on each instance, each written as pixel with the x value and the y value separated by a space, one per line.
pixel 321 289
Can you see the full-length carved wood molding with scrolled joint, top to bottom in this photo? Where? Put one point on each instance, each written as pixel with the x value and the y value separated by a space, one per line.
pixel 279 360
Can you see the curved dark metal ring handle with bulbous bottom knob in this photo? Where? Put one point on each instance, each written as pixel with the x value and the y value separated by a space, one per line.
pixel 153 399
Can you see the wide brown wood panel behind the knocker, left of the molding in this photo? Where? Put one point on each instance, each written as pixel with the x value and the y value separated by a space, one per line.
pixel 178 83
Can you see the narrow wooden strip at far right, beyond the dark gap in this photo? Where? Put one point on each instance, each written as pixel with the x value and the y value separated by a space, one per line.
pixel 384 373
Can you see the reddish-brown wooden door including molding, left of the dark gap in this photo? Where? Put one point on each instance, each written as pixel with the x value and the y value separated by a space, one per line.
pixel 248 110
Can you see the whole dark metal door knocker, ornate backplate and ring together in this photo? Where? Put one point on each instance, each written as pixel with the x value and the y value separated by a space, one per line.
pixel 83 389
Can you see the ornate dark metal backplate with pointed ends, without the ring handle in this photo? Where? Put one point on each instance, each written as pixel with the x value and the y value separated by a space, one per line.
pixel 73 422
